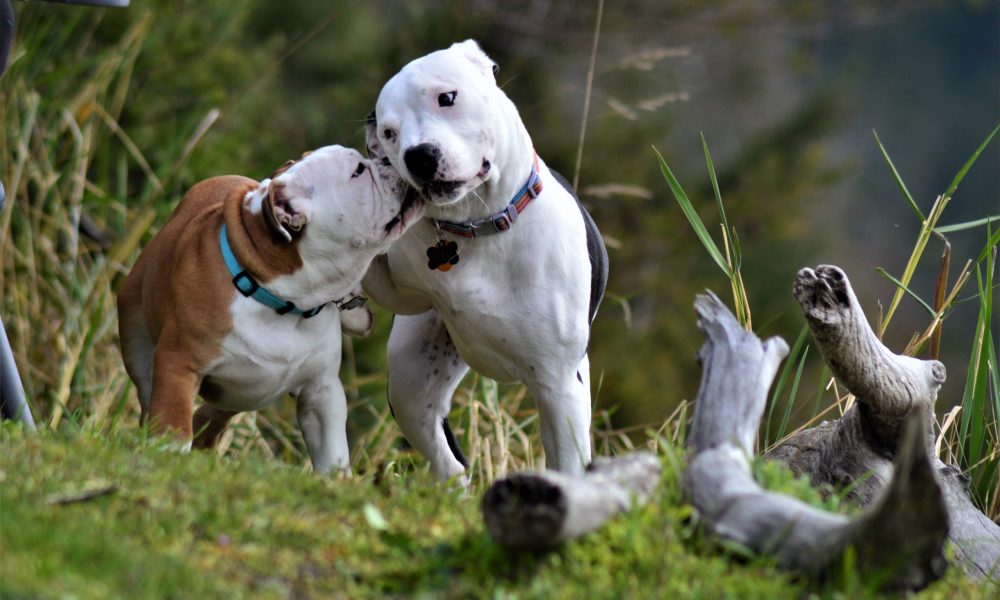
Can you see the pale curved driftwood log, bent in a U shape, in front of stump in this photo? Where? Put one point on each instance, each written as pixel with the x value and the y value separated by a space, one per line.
pixel 899 539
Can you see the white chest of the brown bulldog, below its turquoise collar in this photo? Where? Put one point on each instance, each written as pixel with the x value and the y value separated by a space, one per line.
pixel 267 355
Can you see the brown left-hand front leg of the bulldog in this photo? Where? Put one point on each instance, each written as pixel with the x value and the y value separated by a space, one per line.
pixel 175 383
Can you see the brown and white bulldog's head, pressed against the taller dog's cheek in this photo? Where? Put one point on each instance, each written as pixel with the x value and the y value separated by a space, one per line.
pixel 334 199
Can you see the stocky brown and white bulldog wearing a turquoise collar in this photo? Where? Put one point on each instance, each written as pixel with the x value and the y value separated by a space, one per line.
pixel 244 327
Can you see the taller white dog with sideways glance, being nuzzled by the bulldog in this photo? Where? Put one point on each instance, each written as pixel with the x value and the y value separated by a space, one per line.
pixel 518 305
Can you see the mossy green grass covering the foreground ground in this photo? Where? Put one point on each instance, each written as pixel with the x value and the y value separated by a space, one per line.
pixel 197 525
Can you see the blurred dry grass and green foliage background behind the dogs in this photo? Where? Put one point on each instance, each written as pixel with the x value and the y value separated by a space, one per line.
pixel 110 115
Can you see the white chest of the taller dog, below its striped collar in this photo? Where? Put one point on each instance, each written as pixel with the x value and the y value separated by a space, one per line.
pixel 501 298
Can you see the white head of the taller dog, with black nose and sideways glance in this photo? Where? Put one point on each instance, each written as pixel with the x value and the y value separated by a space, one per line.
pixel 436 122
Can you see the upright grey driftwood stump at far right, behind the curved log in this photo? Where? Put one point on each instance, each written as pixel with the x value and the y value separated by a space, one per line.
pixel 858 449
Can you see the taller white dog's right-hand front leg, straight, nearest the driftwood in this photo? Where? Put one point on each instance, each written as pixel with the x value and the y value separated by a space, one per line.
pixel 564 418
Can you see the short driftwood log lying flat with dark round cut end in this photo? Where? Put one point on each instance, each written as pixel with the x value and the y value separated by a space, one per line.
pixel 538 511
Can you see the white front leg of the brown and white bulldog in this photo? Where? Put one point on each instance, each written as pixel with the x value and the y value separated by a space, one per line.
pixel 322 413
